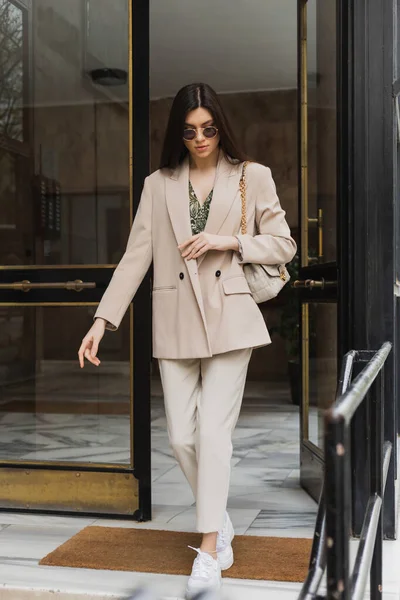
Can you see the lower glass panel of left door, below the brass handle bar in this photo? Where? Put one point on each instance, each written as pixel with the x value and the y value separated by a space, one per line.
pixel 50 409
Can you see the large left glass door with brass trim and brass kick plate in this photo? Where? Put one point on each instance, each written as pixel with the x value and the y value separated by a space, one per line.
pixel 66 435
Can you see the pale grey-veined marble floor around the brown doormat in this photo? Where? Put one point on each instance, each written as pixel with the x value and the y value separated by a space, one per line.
pixel 265 499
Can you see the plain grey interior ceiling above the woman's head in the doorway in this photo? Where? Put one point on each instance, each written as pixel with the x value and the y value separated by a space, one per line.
pixel 234 45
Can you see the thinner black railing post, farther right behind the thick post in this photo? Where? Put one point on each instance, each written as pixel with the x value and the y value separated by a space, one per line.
pixel 376 478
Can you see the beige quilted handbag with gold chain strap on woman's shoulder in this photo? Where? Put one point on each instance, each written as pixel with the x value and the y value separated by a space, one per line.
pixel 265 281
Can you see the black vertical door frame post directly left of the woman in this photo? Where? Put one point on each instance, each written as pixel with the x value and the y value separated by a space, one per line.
pixel 142 323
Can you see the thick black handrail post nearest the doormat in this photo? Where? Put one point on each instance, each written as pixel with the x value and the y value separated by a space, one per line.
pixel 338 513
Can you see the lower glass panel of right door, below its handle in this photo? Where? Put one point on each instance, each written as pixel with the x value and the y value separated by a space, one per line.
pixel 322 372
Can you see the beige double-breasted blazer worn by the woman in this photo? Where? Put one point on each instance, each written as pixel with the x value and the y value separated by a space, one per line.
pixel 200 307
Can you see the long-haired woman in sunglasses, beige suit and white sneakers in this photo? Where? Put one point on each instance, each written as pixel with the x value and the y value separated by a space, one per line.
pixel 205 321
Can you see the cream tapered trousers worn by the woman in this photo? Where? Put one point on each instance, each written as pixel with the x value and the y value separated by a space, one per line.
pixel 202 401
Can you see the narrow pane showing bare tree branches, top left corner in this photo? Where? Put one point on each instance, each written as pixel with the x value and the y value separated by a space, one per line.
pixel 11 71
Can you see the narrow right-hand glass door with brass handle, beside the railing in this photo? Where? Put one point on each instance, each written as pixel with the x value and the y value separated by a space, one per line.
pixel 318 273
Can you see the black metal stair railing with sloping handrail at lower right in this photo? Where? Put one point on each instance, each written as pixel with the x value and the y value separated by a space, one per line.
pixel 330 549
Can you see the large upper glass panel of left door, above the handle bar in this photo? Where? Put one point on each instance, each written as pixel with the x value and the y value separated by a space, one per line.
pixel 76 158
